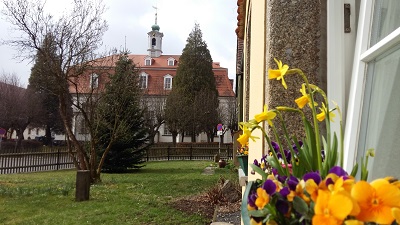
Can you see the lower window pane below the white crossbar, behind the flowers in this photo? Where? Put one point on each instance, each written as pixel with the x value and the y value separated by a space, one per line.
pixel 380 123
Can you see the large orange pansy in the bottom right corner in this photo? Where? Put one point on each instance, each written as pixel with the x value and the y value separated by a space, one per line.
pixel 376 200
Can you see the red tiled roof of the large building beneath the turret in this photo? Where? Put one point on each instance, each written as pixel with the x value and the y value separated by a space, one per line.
pixel 158 69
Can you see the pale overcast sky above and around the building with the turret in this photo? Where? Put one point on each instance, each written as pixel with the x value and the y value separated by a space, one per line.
pixel 130 20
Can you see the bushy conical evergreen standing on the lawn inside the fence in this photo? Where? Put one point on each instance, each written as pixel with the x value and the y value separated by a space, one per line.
pixel 121 134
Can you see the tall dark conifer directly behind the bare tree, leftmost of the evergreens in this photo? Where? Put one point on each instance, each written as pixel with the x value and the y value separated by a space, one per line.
pixel 42 81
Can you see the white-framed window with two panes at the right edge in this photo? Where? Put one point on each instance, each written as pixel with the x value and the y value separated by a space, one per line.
pixel 373 117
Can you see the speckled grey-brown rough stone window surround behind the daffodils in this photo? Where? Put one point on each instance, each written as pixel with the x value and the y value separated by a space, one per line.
pixel 296 34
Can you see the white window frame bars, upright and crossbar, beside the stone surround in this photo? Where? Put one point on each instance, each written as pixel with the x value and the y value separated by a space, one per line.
pixel 363 55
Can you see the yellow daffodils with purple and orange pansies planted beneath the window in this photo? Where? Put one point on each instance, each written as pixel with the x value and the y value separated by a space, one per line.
pixel 306 183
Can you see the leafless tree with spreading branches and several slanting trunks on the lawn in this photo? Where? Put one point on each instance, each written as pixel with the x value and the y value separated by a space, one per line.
pixel 76 36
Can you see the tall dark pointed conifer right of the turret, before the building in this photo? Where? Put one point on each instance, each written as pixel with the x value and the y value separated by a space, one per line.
pixel 194 77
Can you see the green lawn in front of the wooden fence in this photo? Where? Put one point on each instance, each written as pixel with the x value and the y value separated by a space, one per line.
pixel 141 197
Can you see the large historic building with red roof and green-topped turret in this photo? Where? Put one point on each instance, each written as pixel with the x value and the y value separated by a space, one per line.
pixel 157 71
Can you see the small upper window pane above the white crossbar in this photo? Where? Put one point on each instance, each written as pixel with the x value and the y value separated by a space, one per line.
pixel 386 19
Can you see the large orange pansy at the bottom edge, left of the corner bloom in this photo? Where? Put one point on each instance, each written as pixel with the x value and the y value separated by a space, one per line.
pixel 331 208
